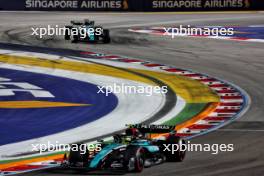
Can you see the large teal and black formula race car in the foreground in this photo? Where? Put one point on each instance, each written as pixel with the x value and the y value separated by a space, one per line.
pixel 131 151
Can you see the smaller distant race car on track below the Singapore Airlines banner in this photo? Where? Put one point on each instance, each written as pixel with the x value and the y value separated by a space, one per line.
pixel 86 31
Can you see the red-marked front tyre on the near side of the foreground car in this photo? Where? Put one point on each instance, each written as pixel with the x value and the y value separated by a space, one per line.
pixel 135 158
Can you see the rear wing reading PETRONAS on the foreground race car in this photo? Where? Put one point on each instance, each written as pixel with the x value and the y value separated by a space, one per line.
pixel 143 128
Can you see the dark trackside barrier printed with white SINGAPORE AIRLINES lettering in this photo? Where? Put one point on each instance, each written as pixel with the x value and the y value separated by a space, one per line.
pixel 132 5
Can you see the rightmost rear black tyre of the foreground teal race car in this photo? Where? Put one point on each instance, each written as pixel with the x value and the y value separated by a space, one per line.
pixel 175 155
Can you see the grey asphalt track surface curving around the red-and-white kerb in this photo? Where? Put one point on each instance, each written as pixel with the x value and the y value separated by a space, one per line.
pixel 241 63
